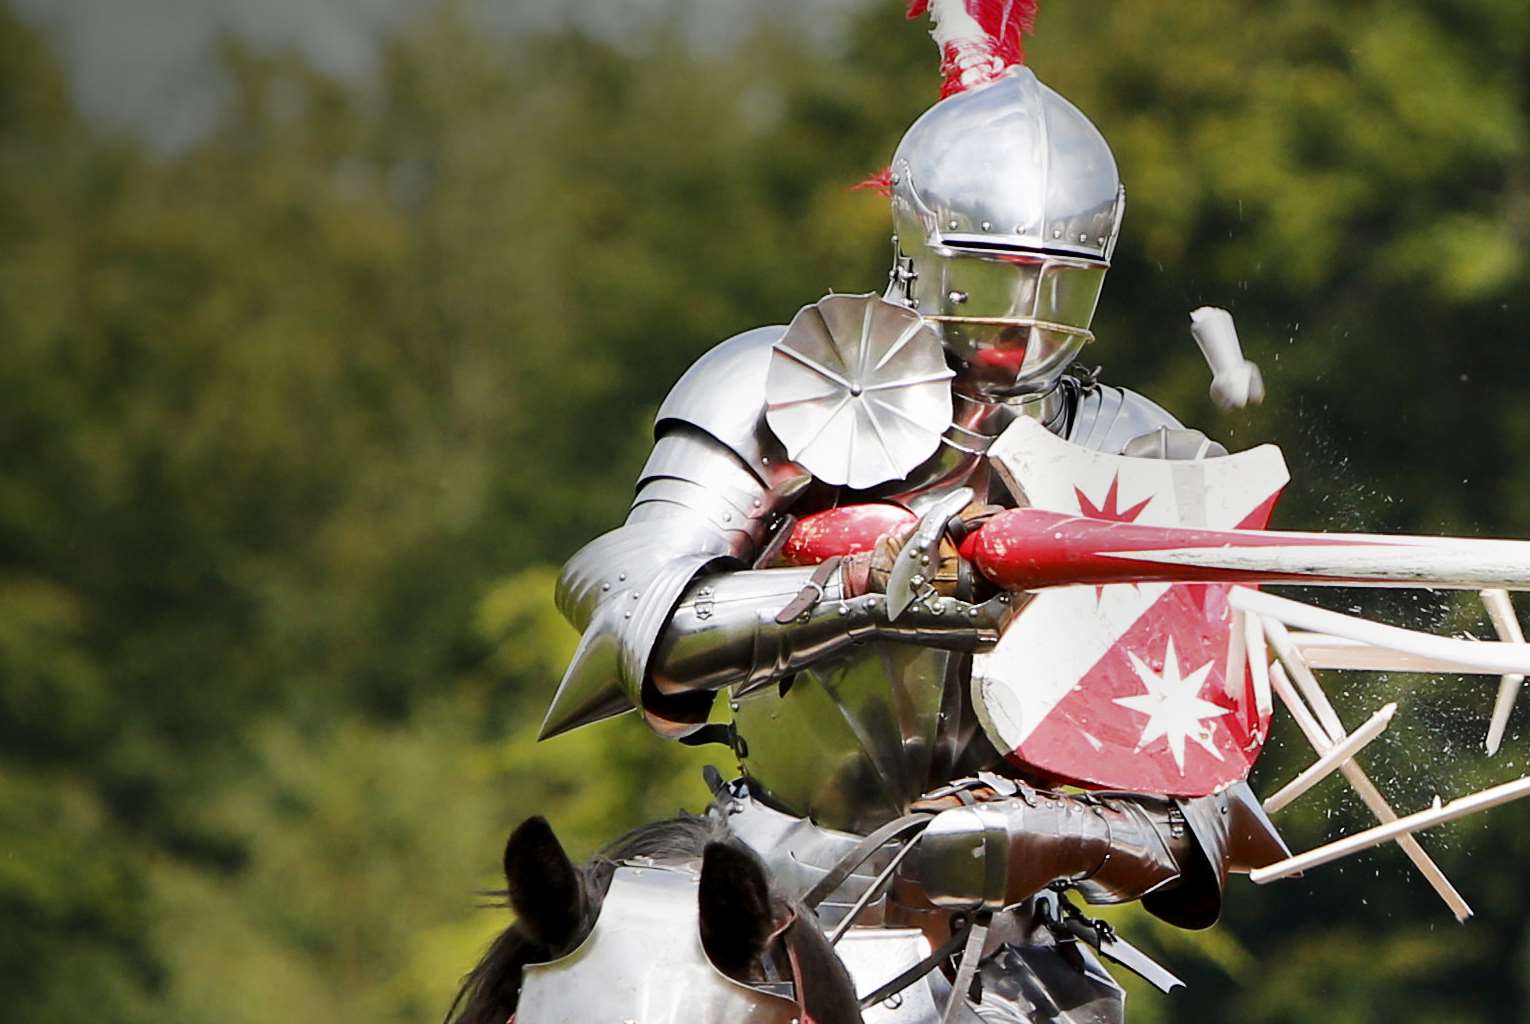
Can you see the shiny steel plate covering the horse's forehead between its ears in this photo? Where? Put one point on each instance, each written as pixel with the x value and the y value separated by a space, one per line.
pixel 643 964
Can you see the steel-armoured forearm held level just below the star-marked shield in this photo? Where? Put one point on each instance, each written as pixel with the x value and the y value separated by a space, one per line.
pixel 1171 855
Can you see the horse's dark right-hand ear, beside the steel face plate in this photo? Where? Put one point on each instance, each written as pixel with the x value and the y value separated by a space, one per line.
pixel 735 905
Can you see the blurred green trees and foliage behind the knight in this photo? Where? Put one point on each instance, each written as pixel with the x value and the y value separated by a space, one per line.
pixel 298 425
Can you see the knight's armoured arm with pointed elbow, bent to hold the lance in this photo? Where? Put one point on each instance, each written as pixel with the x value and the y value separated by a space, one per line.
pixel 668 608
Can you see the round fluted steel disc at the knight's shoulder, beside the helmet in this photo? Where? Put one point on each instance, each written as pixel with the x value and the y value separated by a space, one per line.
pixel 859 391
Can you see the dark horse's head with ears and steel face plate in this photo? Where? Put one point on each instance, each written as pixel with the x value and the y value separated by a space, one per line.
pixel 671 924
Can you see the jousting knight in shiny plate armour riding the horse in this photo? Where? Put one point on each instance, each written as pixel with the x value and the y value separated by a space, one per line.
pixel 847 717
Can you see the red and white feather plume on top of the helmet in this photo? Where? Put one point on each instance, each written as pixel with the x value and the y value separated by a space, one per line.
pixel 978 39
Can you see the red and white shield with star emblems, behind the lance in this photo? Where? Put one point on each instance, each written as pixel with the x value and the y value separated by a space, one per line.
pixel 1125 686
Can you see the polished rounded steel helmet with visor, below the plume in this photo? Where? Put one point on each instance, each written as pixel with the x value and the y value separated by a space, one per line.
pixel 1008 204
